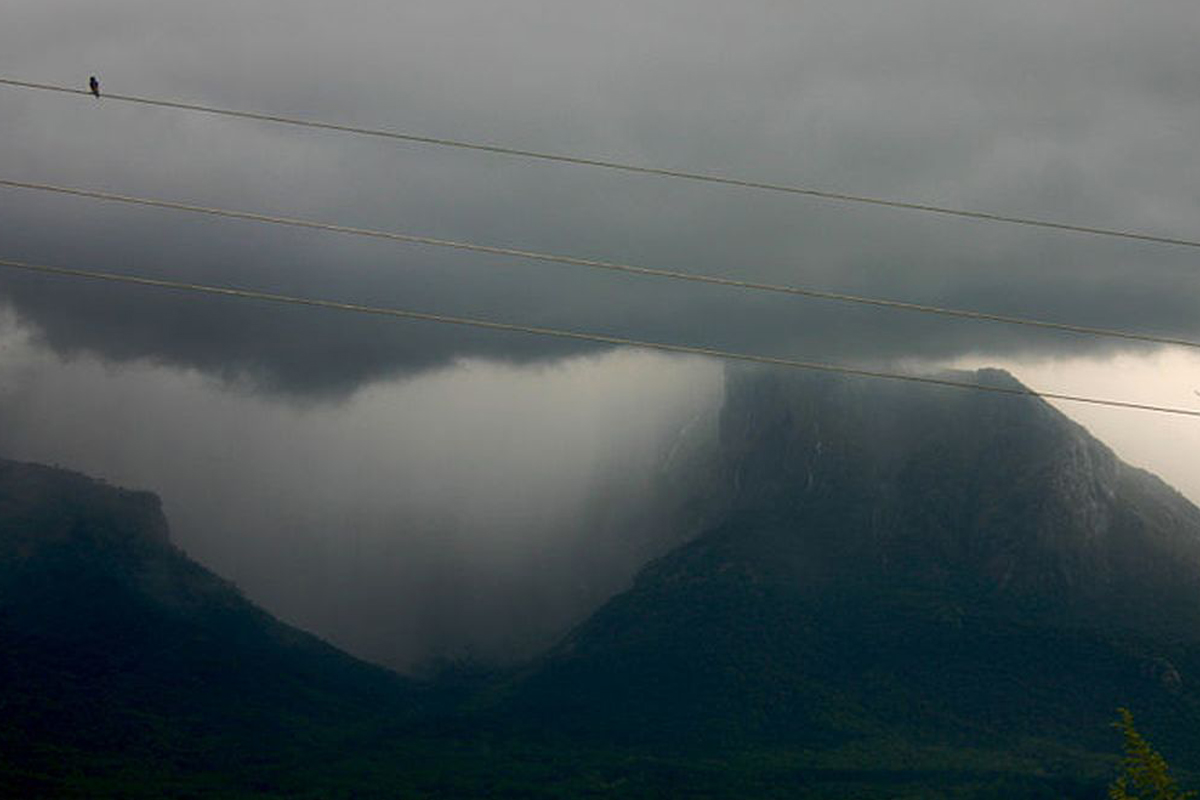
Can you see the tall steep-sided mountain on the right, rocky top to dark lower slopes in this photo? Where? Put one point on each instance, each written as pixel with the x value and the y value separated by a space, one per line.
pixel 891 568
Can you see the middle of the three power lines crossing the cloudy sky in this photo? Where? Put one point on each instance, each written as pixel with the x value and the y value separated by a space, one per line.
pixel 591 263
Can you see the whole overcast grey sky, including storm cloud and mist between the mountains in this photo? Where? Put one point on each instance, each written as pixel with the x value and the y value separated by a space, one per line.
pixel 277 434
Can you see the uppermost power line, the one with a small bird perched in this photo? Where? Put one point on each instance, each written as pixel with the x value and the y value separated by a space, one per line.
pixel 707 178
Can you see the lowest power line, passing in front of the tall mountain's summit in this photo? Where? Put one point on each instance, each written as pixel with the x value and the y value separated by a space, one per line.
pixel 315 303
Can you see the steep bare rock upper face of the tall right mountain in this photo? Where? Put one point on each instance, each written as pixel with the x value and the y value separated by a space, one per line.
pixel 935 486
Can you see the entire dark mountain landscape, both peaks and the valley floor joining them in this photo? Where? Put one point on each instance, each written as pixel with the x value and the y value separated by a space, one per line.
pixel 885 591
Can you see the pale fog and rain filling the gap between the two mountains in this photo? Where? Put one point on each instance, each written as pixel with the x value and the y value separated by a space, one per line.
pixel 472 514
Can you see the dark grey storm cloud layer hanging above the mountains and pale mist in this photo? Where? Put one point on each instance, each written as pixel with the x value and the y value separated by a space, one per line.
pixel 1071 111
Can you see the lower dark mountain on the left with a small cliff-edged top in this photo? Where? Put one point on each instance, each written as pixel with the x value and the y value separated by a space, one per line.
pixel 127 667
